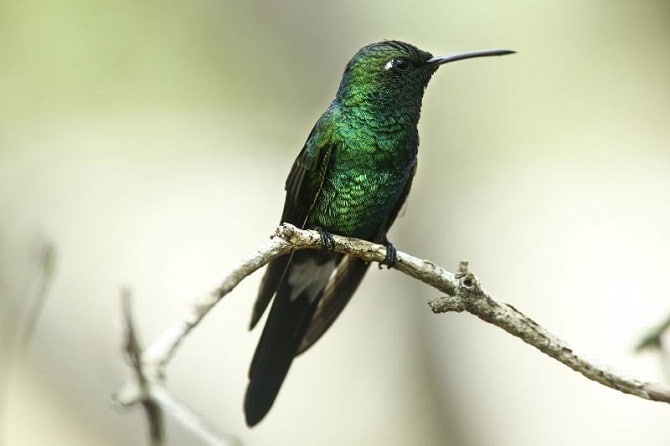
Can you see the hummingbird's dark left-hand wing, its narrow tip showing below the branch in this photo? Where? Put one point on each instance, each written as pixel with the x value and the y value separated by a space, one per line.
pixel 303 185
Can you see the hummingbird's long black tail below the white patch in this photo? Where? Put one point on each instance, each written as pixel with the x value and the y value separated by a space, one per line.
pixel 284 329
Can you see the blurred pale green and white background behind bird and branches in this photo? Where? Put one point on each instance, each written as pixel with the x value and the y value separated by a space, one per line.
pixel 148 142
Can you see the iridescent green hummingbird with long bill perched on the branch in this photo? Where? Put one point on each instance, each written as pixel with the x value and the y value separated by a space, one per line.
pixel 351 178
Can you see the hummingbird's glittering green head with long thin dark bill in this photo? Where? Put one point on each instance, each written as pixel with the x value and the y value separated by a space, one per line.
pixel 394 74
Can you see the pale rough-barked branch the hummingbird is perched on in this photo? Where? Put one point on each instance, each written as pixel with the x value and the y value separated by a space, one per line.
pixel 463 291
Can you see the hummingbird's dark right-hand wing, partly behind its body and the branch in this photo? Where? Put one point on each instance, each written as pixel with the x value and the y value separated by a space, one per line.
pixel 346 279
